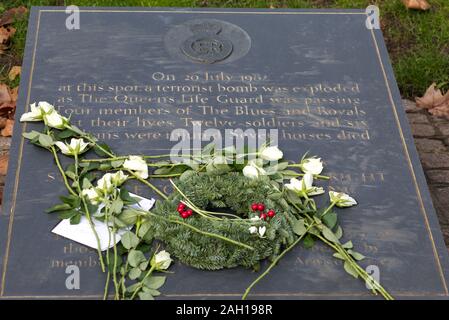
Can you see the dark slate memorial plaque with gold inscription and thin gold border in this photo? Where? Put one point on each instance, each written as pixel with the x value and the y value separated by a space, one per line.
pixel 322 78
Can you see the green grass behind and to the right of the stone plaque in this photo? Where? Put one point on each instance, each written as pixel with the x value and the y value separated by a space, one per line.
pixel 418 42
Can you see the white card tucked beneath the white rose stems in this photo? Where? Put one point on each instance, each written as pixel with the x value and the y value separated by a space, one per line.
pixel 82 232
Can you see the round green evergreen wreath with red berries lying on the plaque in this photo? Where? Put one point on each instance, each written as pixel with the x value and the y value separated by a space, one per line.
pixel 233 194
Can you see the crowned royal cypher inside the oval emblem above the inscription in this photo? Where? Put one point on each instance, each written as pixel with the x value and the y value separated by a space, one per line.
pixel 206 45
